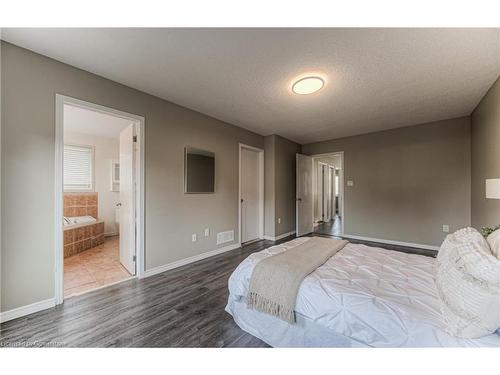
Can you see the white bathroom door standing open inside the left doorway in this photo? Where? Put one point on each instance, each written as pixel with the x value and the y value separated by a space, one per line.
pixel 127 199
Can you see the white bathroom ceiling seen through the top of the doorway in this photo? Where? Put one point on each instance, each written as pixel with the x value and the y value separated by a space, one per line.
pixel 84 121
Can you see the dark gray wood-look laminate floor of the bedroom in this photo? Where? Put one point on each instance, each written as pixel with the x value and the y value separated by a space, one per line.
pixel 178 308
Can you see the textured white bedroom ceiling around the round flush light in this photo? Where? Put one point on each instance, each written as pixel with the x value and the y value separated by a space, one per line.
pixel 375 78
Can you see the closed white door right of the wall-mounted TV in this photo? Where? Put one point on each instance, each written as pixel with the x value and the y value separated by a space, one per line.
pixel 250 195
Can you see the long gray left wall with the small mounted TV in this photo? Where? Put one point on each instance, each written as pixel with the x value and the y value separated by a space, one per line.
pixel 29 85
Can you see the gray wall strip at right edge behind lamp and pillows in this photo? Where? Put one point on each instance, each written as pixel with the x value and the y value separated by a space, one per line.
pixel 485 151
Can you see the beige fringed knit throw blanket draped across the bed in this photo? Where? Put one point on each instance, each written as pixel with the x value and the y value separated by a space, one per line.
pixel 276 280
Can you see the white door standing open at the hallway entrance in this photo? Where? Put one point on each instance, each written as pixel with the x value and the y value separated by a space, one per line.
pixel 305 203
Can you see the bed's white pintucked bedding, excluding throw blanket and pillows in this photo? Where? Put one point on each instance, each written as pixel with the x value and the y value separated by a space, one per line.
pixel 361 297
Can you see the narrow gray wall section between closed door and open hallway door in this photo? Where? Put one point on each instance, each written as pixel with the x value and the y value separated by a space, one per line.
pixel 280 185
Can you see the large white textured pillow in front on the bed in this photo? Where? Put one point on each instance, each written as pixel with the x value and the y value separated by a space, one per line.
pixel 468 284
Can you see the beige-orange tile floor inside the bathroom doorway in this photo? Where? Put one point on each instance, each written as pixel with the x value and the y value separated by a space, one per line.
pixel 94 268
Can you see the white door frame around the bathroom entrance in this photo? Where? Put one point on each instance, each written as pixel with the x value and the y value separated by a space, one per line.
pixel 61 101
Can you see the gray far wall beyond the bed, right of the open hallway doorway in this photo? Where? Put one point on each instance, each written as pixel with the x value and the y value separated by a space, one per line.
pixel 408 182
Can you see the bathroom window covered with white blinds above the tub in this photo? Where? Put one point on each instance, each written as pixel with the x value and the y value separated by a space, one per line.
pixel 78 168
